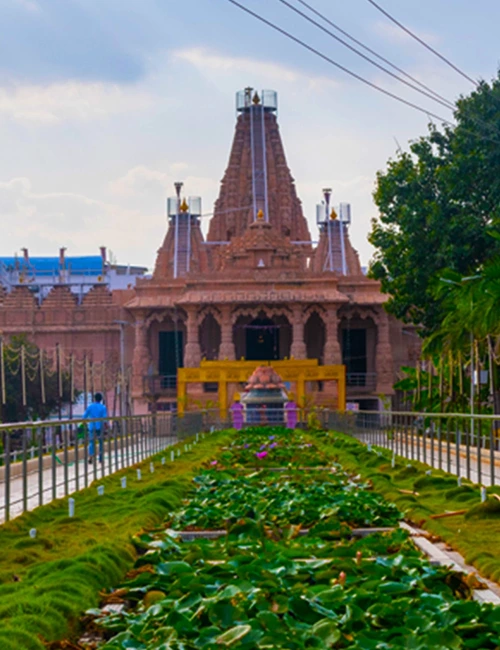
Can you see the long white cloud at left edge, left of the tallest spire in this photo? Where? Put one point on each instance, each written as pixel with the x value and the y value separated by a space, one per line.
pixel 71 100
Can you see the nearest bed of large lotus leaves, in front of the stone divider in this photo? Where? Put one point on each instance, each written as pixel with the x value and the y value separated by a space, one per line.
pixel 297 594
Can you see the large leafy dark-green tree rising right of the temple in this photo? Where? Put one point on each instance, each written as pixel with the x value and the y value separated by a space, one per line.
pixel 437 203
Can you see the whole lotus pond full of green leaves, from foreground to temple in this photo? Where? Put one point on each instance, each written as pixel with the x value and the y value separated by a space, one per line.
pixel 265 585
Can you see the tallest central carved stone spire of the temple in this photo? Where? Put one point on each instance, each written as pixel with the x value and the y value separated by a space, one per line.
pixel 257 179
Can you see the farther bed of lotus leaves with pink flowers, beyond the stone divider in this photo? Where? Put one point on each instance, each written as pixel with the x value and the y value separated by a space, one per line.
pixel 225 494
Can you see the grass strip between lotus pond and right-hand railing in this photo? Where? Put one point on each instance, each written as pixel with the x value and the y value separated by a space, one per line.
pixel 476 535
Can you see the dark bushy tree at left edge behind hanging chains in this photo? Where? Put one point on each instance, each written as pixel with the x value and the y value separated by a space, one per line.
pixel 35 408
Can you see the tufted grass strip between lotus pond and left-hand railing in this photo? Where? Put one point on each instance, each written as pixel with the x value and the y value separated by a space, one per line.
pixel 47 582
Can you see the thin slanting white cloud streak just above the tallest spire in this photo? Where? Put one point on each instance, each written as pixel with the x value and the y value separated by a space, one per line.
pixel 209 61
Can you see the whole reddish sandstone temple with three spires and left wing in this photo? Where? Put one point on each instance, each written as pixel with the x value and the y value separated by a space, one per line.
pixel 254 289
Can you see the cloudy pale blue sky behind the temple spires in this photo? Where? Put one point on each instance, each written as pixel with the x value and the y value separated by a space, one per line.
pixel 104 104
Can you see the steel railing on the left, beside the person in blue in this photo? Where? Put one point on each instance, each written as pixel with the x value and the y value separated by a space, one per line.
pixel 43 461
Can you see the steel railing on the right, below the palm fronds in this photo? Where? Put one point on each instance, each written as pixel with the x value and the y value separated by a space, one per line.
pixel 462 444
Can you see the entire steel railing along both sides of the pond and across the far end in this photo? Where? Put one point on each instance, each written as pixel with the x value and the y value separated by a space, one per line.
pixel 43 461
